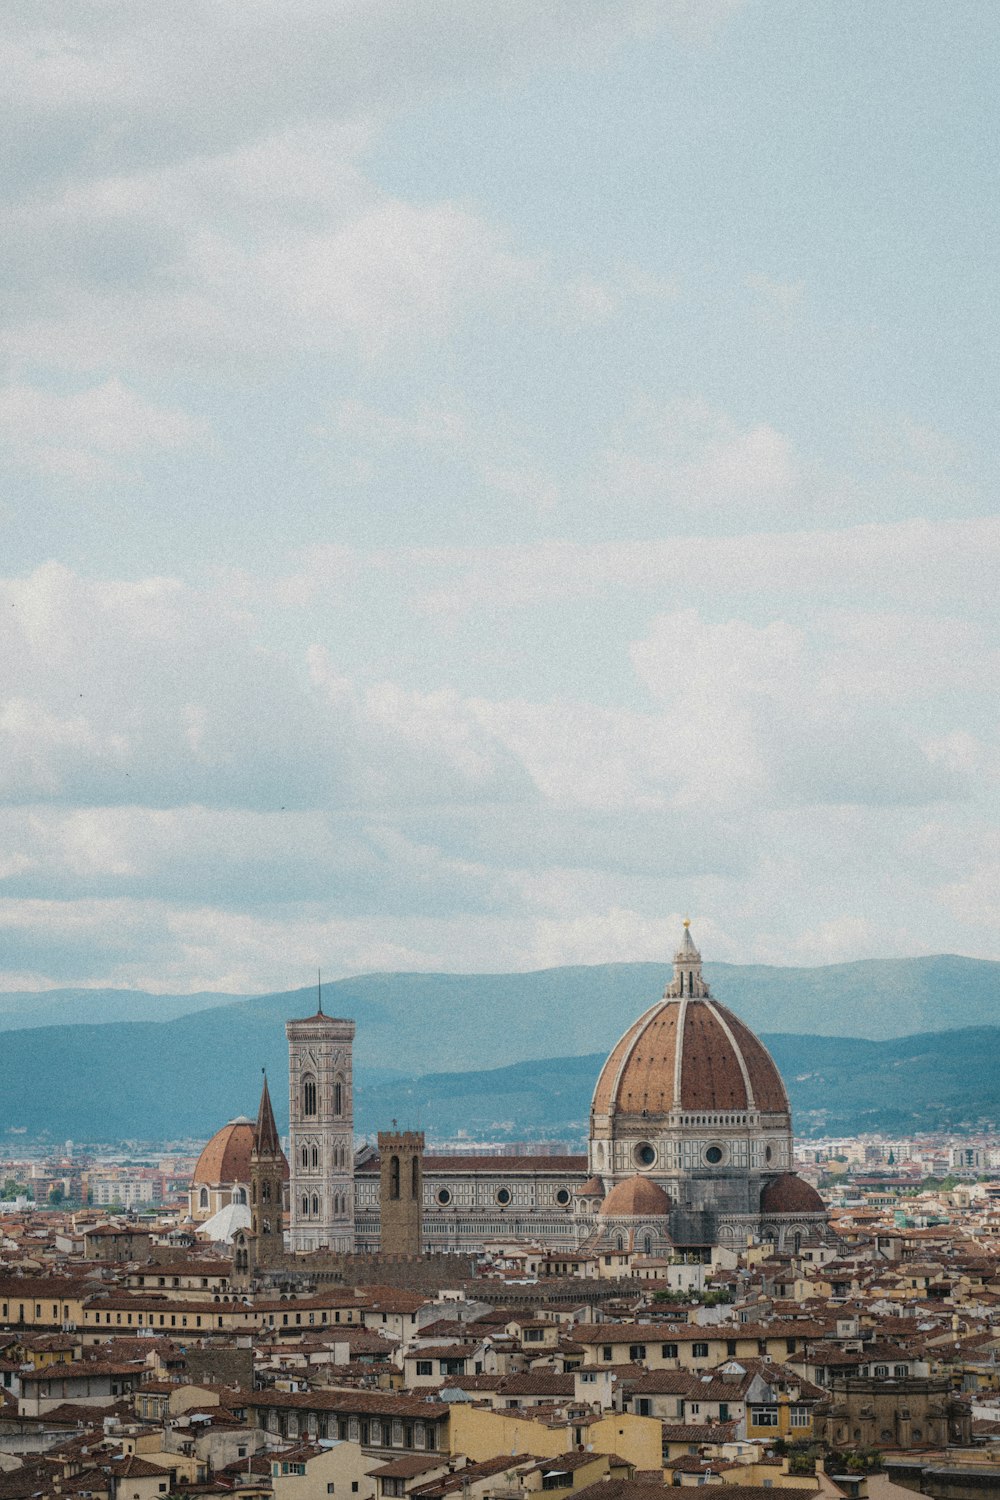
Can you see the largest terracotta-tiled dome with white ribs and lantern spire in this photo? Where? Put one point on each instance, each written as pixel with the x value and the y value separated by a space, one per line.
pixel 689 1054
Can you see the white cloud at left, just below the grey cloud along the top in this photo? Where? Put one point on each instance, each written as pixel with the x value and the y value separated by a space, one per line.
pixel 218 266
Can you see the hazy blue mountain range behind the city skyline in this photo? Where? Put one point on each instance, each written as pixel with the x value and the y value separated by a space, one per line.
pixel 163 1067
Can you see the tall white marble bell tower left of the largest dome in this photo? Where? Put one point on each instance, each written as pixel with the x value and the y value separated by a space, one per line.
pixel 322 1133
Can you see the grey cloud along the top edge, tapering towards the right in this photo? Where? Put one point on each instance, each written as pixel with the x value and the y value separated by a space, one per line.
pixel 205 77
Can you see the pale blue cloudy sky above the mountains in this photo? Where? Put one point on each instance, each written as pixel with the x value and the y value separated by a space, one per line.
pixel 482 482
